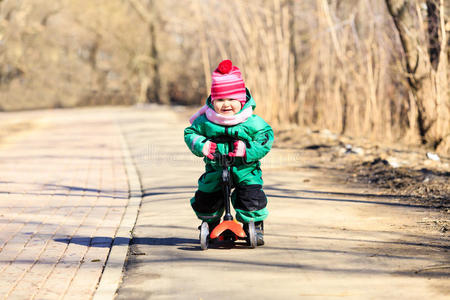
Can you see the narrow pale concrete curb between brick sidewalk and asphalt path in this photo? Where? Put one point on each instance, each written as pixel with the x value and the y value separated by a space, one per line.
pixel 112 272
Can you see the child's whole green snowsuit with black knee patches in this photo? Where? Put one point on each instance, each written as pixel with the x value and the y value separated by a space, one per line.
pixel 248 198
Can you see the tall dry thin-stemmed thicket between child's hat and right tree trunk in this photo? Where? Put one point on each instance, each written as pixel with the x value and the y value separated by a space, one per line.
pixel 317 64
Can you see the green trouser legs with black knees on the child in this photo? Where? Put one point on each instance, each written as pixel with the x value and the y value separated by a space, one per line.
pixel 247 198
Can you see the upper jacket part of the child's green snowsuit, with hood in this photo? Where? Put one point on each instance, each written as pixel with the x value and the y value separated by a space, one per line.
pixel 255 132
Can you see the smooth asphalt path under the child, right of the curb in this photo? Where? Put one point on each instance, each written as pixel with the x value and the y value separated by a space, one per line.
pixel 322 241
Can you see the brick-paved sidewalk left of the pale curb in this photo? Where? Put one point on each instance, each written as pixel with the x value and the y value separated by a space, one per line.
pixel 63 193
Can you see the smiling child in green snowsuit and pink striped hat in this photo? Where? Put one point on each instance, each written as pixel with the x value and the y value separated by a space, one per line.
pixel 229 111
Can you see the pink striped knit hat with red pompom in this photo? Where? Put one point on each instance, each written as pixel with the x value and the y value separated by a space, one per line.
pixel 227 82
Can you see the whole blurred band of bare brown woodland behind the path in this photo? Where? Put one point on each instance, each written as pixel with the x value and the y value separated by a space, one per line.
pixel 377 69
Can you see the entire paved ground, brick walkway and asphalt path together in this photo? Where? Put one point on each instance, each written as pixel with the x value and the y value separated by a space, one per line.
pixel 67 188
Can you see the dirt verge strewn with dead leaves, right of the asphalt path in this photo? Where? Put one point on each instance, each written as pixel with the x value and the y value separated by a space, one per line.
pixel 411 175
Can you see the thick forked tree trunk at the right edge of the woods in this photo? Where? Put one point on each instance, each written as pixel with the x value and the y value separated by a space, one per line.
pixel 426 67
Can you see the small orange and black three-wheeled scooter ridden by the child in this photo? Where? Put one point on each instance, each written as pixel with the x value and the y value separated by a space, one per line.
pixel 228 229
